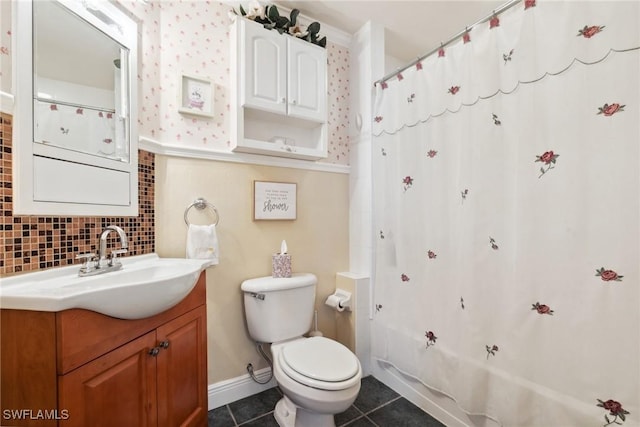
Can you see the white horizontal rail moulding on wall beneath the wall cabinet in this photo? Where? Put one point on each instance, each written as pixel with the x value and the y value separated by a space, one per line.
pixel 164 149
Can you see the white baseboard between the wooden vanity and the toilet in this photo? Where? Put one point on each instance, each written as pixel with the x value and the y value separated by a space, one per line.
pixel 227 391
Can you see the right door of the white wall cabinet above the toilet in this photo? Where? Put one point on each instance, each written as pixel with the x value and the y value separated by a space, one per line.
pixel 307 81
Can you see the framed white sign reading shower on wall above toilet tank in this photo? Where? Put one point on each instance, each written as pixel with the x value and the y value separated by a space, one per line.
pixel 274 200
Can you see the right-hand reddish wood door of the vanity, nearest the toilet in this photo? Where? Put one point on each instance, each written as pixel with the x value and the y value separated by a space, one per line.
pixel 182 370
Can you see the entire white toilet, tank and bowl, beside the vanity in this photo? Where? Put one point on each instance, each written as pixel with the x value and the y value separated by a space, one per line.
pixel 319 377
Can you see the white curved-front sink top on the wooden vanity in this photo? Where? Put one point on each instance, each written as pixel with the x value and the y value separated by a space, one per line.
pixel 146 285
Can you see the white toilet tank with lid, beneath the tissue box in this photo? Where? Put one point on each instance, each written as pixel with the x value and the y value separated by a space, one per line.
pixel 278 309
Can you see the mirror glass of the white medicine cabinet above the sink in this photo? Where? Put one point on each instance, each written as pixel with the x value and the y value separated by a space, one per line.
pixel 79 98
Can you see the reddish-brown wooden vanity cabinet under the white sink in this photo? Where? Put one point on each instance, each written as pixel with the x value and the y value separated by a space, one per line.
pixel 87 369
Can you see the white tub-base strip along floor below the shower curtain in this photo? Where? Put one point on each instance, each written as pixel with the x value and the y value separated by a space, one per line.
pixel 394 379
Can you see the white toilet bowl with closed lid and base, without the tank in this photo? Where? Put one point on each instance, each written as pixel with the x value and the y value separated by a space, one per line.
pixel 319 378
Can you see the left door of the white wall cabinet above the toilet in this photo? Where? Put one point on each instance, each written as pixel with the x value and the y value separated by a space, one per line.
pixel 265 69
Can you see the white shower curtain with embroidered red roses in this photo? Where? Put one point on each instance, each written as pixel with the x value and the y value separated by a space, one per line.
pixel 506 176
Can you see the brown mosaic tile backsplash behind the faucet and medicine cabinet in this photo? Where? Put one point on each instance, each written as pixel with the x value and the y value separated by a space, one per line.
pixel 32 243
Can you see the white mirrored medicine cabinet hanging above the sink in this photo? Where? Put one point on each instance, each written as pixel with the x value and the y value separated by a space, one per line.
pixel 75 109
